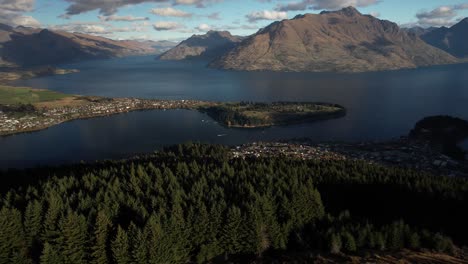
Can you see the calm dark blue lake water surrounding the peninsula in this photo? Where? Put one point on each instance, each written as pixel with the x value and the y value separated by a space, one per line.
pixel 380 106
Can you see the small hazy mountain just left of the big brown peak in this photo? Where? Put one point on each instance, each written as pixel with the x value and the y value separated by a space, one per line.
pixel 207 46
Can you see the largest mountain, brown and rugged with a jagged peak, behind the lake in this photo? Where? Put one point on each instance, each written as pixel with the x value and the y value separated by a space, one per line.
pixel 343 40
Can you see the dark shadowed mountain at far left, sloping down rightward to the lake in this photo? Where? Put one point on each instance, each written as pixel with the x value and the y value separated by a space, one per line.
pixel 27 47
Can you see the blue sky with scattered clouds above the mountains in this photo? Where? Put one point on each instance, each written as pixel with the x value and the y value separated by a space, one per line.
pixel 179 19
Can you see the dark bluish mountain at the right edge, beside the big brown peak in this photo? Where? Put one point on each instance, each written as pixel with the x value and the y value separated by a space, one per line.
pixel 454 40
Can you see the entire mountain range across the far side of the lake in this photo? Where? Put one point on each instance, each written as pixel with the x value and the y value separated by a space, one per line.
pixel 340 41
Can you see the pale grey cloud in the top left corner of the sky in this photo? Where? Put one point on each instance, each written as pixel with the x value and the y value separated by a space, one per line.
pixel 12 13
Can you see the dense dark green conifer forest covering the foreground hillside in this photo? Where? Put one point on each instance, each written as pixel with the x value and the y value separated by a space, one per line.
pixel 195 203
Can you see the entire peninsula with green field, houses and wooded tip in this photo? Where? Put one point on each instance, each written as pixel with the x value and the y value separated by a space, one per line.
pixel 25 110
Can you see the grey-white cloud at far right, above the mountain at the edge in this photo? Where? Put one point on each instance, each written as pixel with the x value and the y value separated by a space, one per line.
pixel 440 16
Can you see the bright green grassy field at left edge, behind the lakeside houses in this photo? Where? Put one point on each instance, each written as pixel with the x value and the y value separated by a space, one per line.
pixel 19 95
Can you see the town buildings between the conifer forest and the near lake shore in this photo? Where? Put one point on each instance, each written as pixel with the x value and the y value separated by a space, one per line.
pixel 403 152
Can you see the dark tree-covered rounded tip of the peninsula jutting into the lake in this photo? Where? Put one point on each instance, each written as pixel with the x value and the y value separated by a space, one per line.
pixel 254 115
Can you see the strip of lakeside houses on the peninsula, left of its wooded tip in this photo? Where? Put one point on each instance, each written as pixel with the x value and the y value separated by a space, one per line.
pixel 41 118
